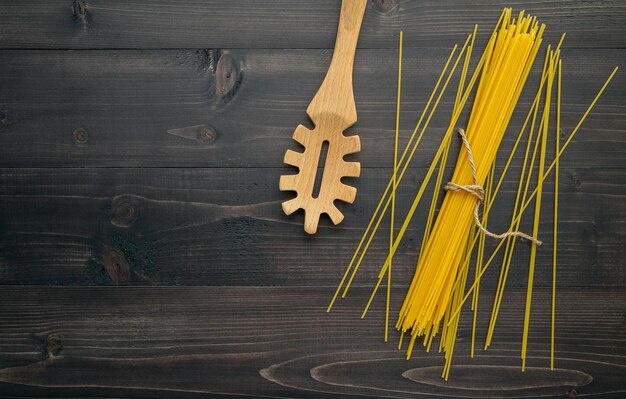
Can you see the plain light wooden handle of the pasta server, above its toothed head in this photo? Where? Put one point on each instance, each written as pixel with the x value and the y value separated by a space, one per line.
pixel 335 96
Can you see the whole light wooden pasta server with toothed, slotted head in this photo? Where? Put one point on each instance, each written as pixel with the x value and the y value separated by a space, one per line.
pixel 332 111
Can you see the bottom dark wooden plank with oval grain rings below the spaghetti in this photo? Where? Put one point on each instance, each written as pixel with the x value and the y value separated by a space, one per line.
pixel 279 342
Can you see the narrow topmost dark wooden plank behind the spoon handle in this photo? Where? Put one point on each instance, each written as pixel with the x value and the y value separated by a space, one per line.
pixel 280 24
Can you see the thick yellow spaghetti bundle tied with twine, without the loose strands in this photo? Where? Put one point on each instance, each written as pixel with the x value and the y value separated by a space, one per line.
pixel 509 59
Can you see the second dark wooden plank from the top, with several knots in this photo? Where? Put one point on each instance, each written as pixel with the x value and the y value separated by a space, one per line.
pixel 240 107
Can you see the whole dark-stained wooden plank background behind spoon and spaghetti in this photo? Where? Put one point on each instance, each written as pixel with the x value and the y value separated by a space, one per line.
pixel 143 250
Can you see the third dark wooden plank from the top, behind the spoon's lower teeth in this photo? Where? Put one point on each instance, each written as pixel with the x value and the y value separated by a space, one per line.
pixel 225 226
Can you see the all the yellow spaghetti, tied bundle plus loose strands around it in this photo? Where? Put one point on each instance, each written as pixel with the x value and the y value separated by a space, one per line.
pixel 437 291
